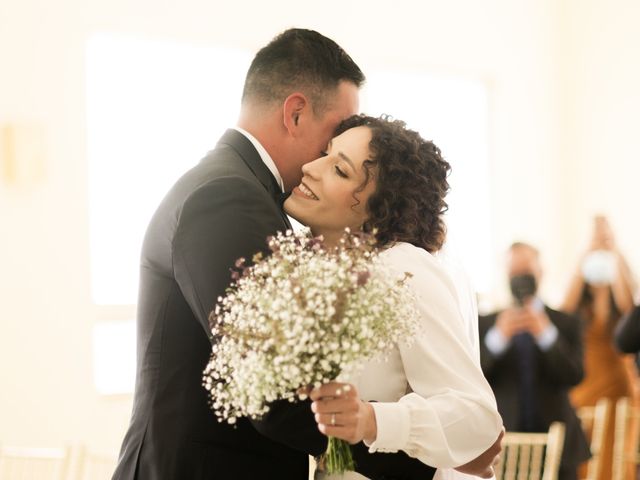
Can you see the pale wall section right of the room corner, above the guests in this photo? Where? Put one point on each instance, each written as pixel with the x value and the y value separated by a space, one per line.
pixel 602 85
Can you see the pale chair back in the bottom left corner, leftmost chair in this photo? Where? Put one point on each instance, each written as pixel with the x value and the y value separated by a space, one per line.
pixel 25 463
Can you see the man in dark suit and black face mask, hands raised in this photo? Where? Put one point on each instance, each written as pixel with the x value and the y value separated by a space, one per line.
pixel 532 355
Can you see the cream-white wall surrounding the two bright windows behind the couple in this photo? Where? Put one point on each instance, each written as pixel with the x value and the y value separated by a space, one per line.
pixel 555 109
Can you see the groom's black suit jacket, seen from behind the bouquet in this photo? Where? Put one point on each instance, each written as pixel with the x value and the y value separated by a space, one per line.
pixel 219 211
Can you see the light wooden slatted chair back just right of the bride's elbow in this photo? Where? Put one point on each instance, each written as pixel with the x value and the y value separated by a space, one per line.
pixel 531 456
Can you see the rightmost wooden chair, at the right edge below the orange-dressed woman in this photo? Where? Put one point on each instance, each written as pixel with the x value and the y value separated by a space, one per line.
pixel 625 442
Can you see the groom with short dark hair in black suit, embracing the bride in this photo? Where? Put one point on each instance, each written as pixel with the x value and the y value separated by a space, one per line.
pixel 297 90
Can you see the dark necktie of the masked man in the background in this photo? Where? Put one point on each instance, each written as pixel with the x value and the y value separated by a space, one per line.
pixel 525 349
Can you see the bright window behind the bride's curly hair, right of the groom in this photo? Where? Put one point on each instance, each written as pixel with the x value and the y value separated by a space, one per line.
pixel 453 113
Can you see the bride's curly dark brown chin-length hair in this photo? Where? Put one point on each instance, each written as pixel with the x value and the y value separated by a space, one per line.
pixel 411 184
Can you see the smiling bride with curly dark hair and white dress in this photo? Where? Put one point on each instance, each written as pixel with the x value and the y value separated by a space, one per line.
pixel 429 400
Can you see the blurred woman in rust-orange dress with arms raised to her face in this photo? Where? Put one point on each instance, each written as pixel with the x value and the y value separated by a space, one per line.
pixel 600 293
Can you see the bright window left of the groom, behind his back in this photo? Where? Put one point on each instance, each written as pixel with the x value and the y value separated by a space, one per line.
pixel 154 108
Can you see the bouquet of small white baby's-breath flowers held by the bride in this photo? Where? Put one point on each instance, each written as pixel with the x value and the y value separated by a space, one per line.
pixel 300 317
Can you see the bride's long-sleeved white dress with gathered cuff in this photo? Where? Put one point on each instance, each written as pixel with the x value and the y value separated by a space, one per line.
pixel 431 398
